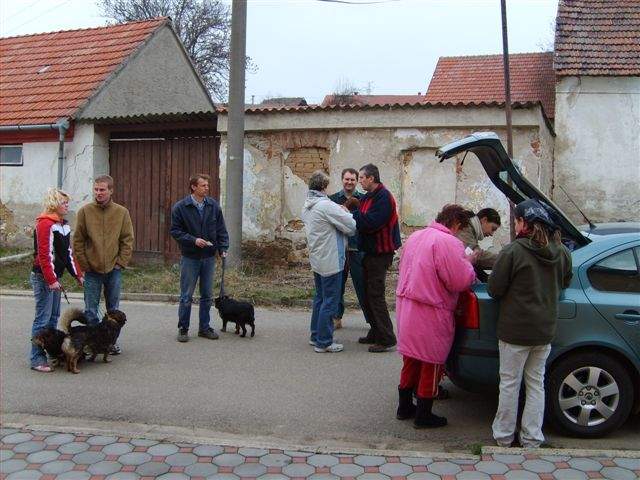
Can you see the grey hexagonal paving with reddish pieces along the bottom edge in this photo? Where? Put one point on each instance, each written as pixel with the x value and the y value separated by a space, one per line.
pixel 26 454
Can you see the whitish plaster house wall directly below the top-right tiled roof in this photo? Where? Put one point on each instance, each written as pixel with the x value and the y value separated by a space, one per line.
pixel 598 147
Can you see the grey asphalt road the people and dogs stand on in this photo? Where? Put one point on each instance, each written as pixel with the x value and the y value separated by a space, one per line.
pixel 272 386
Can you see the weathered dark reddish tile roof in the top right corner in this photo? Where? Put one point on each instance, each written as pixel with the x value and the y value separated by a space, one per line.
pixel 598 37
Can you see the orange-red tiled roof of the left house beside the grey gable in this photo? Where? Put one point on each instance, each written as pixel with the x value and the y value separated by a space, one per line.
pixel 48 76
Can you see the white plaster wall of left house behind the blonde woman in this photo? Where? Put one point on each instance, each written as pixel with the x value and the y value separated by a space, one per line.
pixel 22 188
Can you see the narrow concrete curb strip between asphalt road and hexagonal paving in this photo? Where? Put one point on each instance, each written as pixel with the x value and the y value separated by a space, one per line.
pixel 200 436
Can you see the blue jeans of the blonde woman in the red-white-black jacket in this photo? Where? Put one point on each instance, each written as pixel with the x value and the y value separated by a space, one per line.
pixel 47 313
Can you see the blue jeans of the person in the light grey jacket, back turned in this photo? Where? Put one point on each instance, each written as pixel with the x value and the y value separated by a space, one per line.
pixel 325 307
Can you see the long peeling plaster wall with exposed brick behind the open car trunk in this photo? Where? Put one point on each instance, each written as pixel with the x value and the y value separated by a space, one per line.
pixel 274 194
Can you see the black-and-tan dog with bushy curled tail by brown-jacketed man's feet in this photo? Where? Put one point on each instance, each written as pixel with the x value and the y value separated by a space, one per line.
pixel 96 338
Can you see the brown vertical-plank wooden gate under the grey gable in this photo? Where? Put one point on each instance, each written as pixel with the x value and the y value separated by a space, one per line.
pixel 150 175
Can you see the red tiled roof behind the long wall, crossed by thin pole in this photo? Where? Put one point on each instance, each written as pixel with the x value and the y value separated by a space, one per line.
pixel 476 80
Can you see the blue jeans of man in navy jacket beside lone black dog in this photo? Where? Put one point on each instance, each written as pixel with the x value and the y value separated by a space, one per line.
pixel 192 269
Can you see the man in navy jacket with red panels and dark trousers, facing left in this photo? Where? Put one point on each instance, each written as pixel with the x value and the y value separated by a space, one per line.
pixel 378 237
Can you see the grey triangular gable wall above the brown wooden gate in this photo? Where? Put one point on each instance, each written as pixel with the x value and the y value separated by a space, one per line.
pixel 158 79
